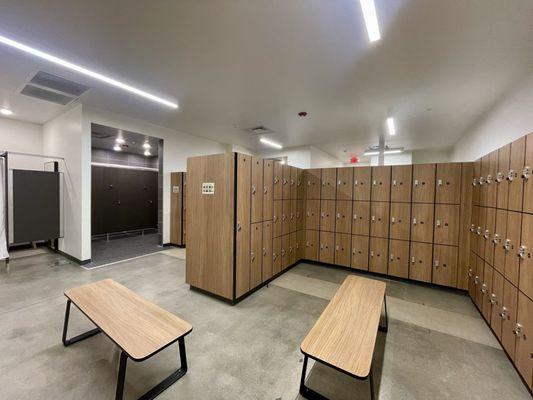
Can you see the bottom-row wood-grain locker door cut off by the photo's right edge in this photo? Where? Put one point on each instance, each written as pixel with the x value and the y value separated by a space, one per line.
pixel 524 338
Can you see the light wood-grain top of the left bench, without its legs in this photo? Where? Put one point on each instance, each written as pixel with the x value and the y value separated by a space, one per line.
pixel 137 326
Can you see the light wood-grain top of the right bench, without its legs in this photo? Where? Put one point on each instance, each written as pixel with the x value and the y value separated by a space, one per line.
pixel 345 334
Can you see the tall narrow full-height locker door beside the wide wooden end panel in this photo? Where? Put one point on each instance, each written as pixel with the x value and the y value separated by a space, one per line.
pixel 244 183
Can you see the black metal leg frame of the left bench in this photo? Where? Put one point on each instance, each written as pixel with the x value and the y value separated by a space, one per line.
pixel 156 390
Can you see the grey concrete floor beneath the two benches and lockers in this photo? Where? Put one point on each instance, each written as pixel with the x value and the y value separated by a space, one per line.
pixel 437 346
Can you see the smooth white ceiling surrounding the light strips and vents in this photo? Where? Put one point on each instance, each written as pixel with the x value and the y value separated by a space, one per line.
pixel 233 64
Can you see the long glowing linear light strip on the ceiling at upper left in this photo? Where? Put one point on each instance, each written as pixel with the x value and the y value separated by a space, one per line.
pixel 85 71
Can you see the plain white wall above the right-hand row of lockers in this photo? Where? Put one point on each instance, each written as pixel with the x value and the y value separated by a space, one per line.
pixel 509 120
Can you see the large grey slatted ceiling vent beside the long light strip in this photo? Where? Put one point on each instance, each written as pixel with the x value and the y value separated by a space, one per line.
pixel 45 86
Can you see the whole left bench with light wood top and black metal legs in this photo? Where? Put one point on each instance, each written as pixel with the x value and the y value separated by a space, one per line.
pixel 138 327
